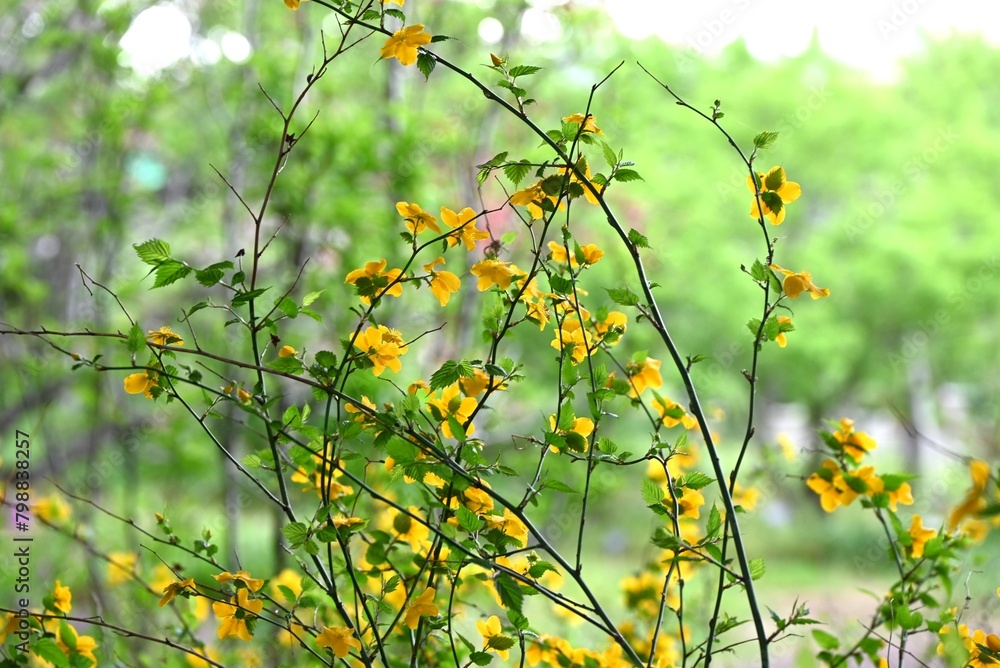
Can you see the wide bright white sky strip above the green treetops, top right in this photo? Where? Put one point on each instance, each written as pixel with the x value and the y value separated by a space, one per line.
pixel 869 34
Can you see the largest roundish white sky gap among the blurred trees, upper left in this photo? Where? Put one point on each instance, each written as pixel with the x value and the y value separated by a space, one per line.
pixel 158 37
